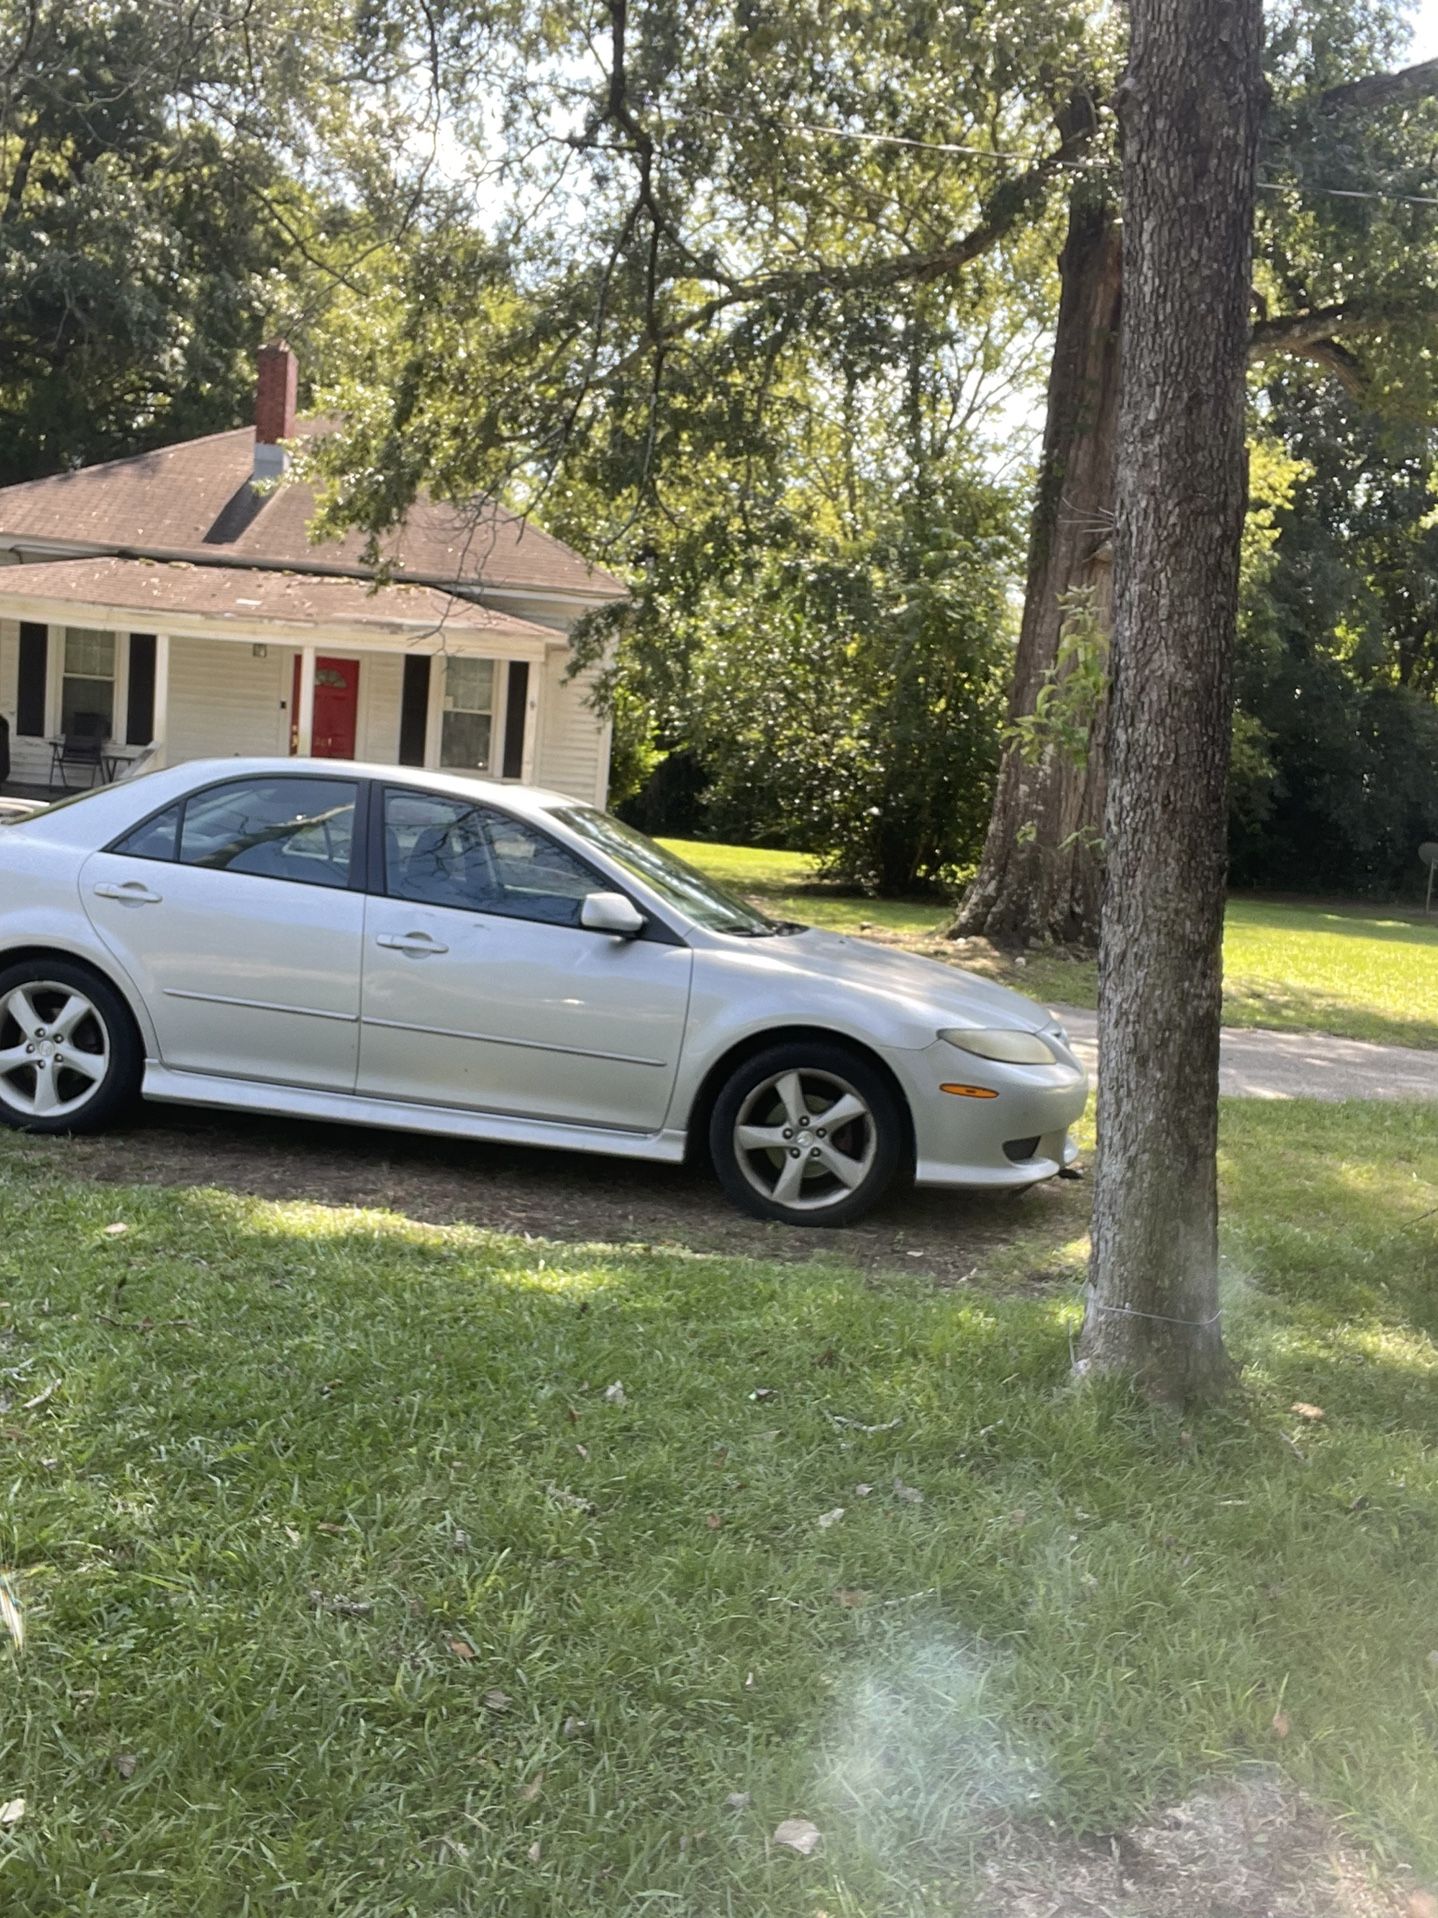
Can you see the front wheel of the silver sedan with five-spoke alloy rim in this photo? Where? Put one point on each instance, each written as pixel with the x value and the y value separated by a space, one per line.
pixel 808 1133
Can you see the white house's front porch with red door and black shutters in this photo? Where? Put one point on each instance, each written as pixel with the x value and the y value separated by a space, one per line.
pixel 250 663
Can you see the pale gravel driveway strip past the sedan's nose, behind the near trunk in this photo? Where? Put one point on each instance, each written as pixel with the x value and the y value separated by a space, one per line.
pixel 1297 1065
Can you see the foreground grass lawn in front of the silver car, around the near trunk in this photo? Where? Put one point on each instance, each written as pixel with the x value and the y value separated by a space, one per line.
pixel 354 1589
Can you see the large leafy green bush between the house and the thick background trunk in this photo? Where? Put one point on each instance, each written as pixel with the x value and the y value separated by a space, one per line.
pixel 856 711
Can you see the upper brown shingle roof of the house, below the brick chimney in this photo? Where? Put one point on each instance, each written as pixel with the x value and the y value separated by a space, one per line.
pixel 197 502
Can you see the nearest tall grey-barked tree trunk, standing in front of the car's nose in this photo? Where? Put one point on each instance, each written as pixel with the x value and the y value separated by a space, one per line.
pixel 1192 112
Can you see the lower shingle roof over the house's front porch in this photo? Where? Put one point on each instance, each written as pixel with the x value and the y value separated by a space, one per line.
pixel 258 596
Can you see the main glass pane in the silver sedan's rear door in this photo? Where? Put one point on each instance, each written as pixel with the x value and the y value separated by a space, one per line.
pixel 300 830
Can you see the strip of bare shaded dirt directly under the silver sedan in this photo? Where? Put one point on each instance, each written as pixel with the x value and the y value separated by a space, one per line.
pixel 557 1196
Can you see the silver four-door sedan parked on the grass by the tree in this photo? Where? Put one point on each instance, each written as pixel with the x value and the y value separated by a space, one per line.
pixel 442 954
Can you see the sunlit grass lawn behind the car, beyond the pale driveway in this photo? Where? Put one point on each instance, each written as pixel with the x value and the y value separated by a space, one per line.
pixel 1358 971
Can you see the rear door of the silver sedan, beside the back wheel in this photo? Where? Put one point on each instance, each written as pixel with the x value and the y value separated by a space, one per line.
pixel 235 916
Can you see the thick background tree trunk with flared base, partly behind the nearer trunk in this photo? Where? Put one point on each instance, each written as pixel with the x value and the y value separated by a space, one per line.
pixel 1042 870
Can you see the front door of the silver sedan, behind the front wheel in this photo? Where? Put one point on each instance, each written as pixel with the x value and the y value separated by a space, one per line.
pixel 482 989
